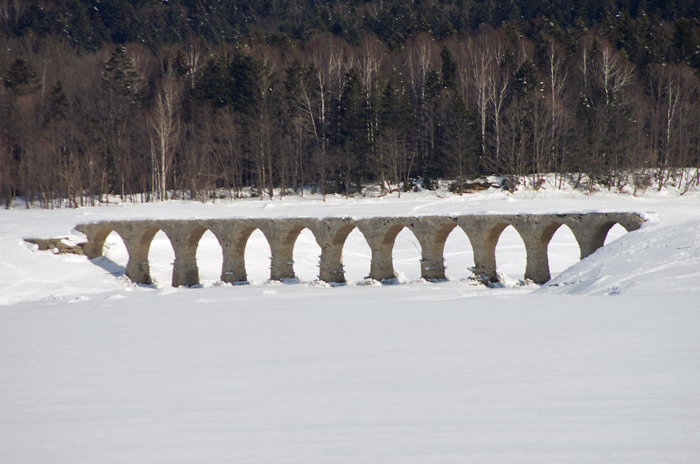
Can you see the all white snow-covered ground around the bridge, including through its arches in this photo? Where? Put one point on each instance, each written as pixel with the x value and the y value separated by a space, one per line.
pixel 602 364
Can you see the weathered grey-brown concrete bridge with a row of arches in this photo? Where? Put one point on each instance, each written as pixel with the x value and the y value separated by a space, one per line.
pixel 483 232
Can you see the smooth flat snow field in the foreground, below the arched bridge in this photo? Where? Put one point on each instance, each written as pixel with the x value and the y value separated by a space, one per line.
pixel 369 374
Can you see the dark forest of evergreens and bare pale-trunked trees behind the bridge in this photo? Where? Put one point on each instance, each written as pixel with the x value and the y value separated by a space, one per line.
pixel 139 99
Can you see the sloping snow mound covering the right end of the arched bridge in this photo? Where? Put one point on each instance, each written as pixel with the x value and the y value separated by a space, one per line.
pixel 657 258
